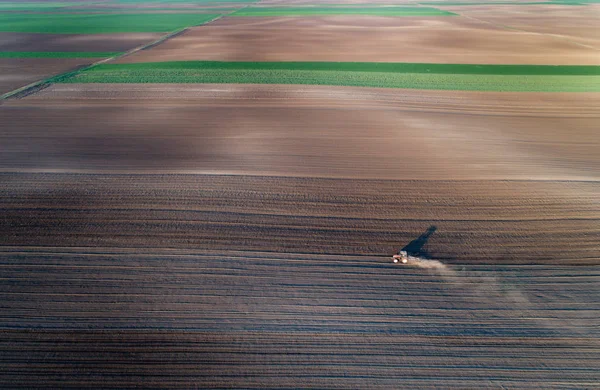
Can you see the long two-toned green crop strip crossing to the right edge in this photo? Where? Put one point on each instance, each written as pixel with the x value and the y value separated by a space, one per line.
pixel 414 76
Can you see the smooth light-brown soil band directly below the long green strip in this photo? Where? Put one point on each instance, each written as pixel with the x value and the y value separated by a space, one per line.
pixel 307 131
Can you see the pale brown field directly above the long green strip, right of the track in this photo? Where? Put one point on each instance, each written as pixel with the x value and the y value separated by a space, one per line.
pixel 366 39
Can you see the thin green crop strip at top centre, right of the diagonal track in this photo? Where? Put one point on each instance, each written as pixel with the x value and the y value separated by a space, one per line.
pixel 308 11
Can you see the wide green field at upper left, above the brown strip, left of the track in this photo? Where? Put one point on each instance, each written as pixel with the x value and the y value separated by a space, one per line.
pixel 99 23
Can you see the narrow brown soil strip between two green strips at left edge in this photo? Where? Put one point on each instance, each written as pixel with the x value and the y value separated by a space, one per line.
pixel 73 42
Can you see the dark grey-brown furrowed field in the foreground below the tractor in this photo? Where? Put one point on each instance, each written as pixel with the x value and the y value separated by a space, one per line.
pixel 265 320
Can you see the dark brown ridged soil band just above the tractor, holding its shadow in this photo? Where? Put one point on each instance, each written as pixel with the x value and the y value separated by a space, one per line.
pixel 478 221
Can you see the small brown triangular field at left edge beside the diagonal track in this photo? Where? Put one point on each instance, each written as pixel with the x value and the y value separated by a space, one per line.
pixel 18 72
